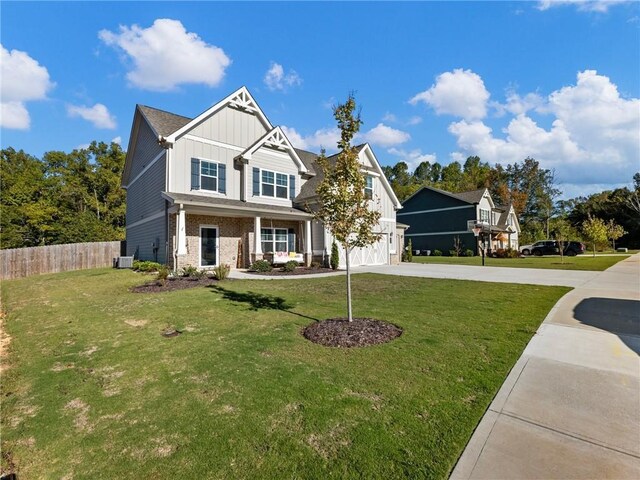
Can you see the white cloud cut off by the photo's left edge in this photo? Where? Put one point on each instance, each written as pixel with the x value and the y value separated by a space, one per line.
pixel 23 80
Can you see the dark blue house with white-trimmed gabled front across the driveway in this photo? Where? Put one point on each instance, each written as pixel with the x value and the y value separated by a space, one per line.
pixel 437 217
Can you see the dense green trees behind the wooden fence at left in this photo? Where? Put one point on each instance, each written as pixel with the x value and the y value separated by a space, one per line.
pixel 62 197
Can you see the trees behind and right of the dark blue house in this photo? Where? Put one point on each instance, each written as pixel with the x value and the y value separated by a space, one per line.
pixel 534 194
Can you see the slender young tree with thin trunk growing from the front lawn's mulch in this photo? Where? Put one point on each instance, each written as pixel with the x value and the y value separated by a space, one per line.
pixel 343 206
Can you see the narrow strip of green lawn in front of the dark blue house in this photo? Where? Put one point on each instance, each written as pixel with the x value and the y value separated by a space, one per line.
pixel 580 262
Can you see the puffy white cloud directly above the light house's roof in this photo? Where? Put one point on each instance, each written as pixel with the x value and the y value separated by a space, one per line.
pixel 165 55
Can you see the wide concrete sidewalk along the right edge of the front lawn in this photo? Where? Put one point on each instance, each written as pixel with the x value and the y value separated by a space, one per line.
pixel 570 408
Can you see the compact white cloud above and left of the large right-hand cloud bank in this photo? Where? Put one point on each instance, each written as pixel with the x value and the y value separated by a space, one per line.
pixel 461 93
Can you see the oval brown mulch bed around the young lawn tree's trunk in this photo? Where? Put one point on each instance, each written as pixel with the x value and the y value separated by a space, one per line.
pixel 361 332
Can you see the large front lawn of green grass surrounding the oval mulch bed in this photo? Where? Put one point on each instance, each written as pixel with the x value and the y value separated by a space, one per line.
pixel 94 391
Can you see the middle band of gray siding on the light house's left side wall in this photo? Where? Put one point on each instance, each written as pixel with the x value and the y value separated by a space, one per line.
pixel 143 196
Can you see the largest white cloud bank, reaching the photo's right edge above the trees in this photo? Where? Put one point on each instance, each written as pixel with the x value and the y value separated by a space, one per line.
pixel 593 139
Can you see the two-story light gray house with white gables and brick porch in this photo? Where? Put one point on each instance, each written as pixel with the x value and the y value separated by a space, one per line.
pixel 227 187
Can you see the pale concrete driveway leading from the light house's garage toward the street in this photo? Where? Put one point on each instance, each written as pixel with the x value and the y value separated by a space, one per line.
pixel 532 276
